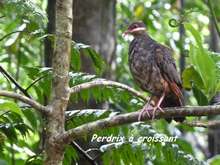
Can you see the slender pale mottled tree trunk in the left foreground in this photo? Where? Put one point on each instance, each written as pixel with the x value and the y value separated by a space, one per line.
pixel 60 84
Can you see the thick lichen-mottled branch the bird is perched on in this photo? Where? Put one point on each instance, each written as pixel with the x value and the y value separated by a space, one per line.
pixel 92 127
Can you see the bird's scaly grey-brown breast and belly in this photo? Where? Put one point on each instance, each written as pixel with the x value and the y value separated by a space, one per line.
pixel 144 68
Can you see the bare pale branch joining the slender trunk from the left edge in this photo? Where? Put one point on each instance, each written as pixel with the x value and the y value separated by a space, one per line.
pixel 26 100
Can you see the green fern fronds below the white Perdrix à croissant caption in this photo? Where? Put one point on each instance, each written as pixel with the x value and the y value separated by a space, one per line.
pixel 137 152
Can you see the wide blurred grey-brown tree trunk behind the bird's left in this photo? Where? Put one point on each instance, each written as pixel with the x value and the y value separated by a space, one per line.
pixel 94 24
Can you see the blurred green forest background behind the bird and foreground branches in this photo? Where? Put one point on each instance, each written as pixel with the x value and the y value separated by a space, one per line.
pixel 190 28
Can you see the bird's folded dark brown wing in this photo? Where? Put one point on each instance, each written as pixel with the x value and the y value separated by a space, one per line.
pixel 164 60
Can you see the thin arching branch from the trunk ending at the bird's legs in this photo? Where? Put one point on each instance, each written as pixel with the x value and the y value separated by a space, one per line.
pixel 103 82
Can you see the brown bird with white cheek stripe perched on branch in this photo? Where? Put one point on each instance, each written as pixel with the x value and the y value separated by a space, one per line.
pixel 154 70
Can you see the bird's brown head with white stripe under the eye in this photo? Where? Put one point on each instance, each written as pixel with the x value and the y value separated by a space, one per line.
pixel 135 28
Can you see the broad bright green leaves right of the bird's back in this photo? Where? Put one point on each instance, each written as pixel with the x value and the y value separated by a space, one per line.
pixel 202 76
